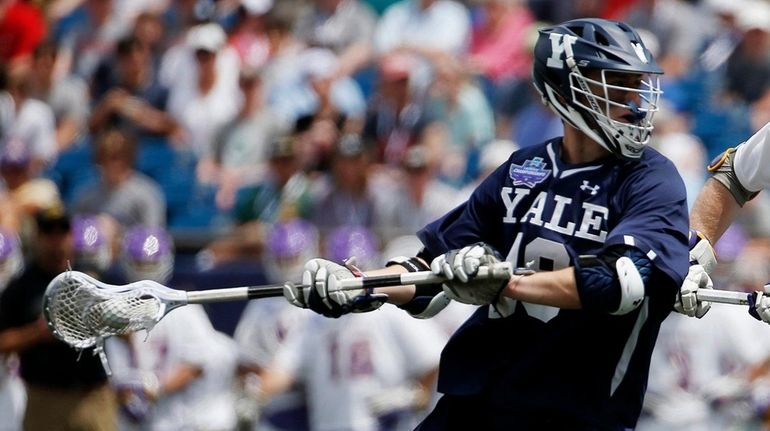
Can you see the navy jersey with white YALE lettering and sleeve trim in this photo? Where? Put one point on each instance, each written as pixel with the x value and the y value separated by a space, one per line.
pixel 587 368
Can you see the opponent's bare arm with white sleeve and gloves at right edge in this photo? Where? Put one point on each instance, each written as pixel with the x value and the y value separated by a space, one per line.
pixel 738 175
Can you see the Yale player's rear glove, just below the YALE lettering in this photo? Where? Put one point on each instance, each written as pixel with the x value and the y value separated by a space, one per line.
pixel 460 267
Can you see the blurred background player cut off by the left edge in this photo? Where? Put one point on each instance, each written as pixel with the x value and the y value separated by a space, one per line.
pixel 12 395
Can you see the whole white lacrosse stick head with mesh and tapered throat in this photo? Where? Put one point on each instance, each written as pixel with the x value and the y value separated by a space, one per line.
pixel 82 311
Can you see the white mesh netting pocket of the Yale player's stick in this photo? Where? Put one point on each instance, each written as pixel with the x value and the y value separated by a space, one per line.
pixel 81 313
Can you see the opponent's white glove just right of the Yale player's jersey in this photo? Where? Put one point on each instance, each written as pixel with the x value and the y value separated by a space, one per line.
pixel 702 262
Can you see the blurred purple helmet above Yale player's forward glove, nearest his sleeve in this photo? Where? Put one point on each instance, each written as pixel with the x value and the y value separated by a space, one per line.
pixel 353 241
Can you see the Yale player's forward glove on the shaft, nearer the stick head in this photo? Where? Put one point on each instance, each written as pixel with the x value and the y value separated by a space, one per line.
pixel 324 296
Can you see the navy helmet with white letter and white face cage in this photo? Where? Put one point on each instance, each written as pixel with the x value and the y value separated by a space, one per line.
pixel 598 76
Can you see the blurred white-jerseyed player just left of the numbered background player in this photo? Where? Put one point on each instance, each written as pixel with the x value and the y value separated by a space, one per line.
pixel 266 323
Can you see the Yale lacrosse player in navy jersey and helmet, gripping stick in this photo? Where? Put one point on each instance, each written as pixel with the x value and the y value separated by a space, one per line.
pixel 599 224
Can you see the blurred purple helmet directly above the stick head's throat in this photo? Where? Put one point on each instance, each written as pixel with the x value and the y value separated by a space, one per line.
pixel 148 254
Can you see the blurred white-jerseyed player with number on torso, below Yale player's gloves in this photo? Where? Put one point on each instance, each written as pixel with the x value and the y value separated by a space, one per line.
pixel 373 372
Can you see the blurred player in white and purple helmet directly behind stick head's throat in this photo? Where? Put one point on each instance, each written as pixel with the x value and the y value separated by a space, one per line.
pixel 168 381
